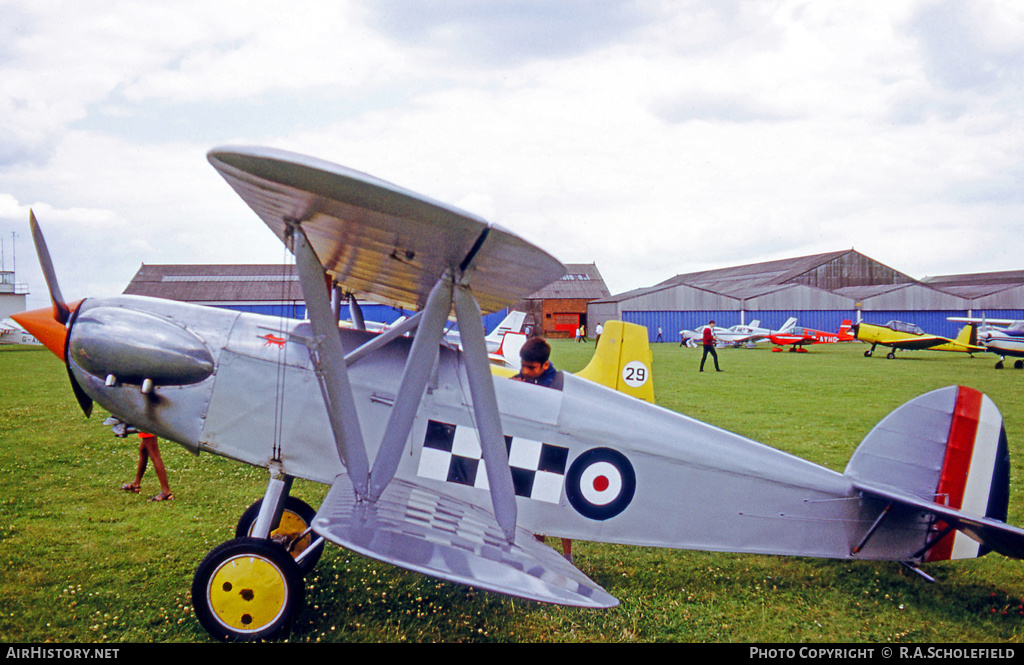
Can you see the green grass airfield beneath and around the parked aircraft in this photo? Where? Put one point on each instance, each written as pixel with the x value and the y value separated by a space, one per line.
pixel 86 562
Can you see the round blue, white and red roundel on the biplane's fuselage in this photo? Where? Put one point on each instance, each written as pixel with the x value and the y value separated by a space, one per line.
pixel 601 484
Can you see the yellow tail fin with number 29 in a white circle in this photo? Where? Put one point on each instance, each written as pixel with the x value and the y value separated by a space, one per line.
pixel 623 361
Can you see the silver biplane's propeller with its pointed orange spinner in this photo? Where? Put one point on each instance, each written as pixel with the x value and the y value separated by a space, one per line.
pixel 52 326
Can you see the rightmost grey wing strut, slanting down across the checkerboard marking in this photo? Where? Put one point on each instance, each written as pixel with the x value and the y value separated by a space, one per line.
pixel 482 387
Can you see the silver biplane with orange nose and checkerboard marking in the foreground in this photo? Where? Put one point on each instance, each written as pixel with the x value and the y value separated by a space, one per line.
pixel 439 465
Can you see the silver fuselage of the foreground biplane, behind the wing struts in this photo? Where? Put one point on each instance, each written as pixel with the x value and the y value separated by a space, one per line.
pixel 587 463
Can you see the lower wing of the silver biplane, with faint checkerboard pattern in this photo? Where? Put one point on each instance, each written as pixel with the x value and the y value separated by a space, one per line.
pixel 424 531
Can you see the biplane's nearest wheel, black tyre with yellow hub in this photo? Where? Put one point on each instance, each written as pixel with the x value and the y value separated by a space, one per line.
pixel 247 590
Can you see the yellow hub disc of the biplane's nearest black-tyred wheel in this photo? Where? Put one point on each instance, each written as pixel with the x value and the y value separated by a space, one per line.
pixel 248 593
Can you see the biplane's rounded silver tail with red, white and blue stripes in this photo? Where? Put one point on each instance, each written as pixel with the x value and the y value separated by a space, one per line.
pixel 945 453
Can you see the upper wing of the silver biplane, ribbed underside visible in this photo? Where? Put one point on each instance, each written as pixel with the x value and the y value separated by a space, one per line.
pixel 381 240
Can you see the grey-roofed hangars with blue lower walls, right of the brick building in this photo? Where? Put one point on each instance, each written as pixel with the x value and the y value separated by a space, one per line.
pixel 821 290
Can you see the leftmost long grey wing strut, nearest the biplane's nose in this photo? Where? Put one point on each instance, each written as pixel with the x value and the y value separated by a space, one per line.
pixel 330 362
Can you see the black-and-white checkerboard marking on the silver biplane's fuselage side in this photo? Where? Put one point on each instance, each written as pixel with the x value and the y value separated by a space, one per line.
pixel 453 454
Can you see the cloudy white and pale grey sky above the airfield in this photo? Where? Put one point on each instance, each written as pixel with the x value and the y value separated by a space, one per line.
pixel 652 138
